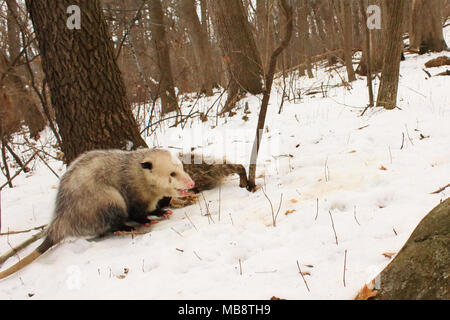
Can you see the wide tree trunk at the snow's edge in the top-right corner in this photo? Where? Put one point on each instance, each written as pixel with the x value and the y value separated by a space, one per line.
pixel 426 26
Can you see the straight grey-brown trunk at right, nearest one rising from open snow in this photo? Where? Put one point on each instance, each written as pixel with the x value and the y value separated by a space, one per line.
pixel 387 94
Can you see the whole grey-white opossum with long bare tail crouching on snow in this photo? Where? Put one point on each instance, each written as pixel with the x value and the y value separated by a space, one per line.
pixel 103 189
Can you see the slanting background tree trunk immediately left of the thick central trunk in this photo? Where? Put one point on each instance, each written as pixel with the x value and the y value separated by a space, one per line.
pixel 200 42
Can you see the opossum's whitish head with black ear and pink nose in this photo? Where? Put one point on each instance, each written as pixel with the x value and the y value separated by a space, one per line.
pixel 165 171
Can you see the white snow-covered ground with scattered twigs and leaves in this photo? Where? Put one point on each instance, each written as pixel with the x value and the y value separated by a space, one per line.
pixel 373 174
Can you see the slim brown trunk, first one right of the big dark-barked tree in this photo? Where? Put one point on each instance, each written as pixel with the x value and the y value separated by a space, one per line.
pixel 166 86
